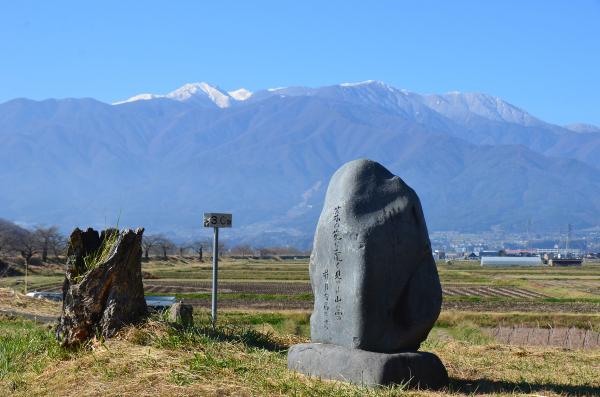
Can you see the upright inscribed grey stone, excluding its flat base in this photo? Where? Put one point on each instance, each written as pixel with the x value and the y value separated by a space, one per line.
pixel 373 276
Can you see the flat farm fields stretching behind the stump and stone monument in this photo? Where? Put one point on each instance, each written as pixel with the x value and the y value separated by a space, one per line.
pixel 277 285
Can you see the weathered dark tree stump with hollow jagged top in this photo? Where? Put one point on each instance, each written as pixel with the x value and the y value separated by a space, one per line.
pixel 103 289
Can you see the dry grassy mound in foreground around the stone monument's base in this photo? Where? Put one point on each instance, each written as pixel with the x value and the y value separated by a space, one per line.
pixel 157 359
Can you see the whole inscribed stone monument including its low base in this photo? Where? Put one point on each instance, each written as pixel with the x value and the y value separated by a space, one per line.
pixel 376 288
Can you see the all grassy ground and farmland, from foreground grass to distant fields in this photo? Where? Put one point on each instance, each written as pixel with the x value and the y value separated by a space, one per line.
pixel 519 331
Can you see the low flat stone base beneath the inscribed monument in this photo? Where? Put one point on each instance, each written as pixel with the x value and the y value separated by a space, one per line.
pixel 418 369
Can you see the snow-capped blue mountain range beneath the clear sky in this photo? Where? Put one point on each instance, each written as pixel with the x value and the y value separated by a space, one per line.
pixel 162 159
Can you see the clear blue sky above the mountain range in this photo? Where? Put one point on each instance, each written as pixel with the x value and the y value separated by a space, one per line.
pixel 543 56
